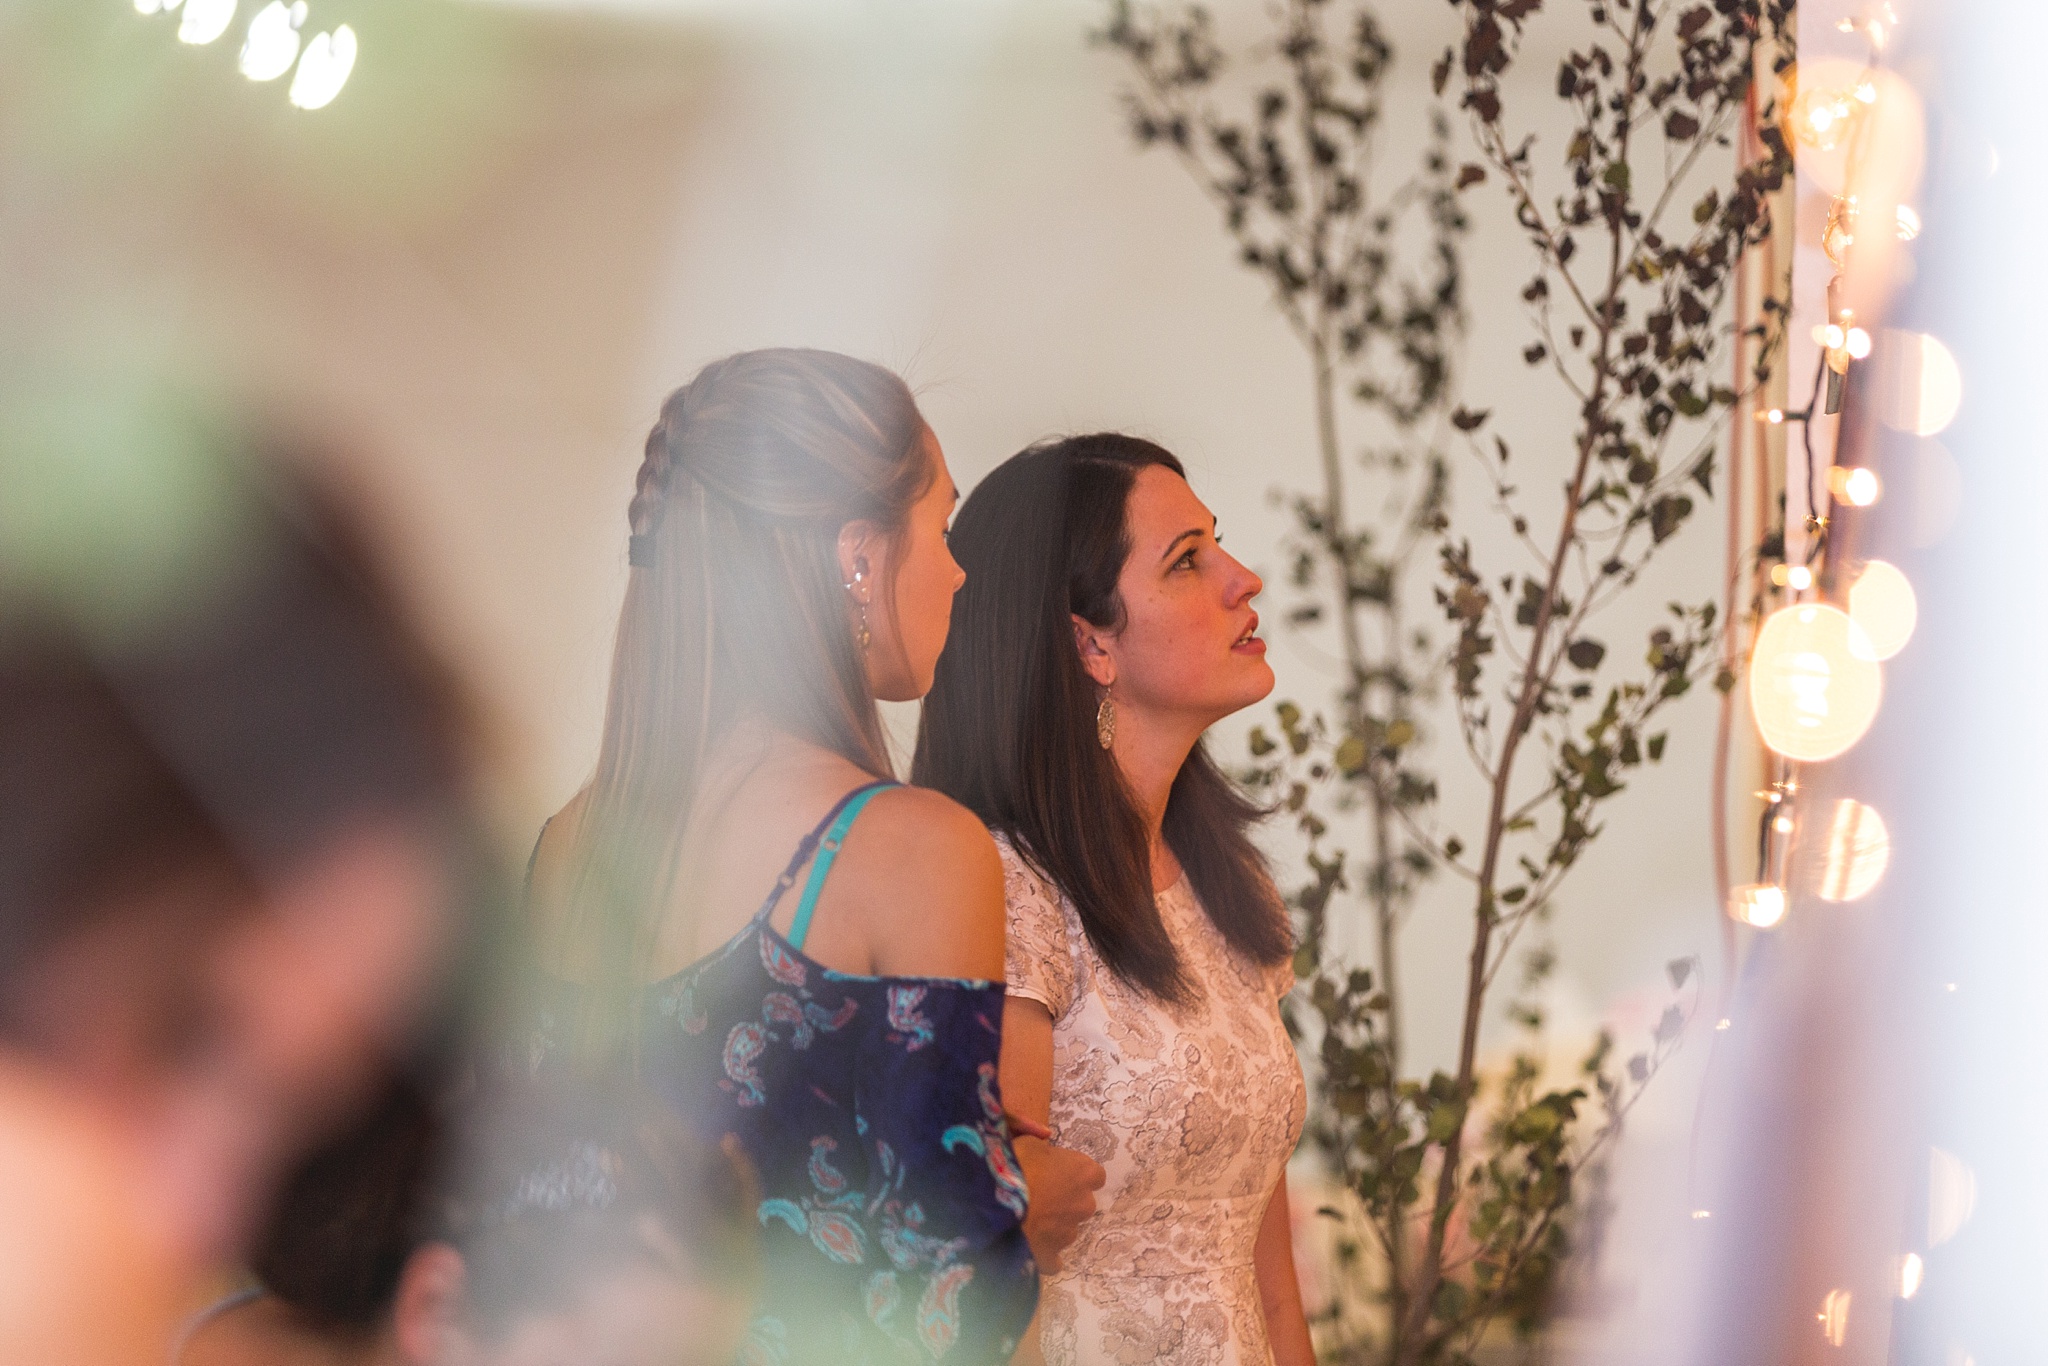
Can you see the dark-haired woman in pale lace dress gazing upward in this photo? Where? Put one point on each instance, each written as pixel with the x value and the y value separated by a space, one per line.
pixel 1101 634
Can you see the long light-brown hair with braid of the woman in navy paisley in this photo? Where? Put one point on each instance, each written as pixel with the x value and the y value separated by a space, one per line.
pixel 736 607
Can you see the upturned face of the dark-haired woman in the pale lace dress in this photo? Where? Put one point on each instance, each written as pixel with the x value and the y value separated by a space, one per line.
pixel 1191 640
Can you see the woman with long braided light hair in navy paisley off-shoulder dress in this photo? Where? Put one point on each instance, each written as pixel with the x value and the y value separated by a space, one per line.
pixel 792 947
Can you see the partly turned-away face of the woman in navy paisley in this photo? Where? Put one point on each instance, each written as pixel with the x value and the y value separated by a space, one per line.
pixel 910 632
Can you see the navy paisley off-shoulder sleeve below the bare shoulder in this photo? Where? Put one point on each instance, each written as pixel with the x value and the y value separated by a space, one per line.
pixel 945 1209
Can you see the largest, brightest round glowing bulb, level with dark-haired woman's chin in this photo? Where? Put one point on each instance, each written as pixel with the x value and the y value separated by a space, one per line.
pixel 1809 691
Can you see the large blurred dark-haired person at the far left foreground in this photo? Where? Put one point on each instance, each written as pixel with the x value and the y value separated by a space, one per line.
pixel 230 822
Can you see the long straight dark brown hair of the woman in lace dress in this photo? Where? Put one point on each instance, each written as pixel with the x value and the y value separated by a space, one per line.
pixel 1011 724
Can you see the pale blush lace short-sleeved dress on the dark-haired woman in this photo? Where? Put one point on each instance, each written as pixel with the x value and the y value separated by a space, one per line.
pixel 1193 1113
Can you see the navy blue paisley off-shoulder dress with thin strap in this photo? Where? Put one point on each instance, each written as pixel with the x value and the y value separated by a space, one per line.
pixel 892 1201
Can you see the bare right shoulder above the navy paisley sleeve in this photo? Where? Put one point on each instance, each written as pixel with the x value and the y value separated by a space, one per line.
pixel 931 886
